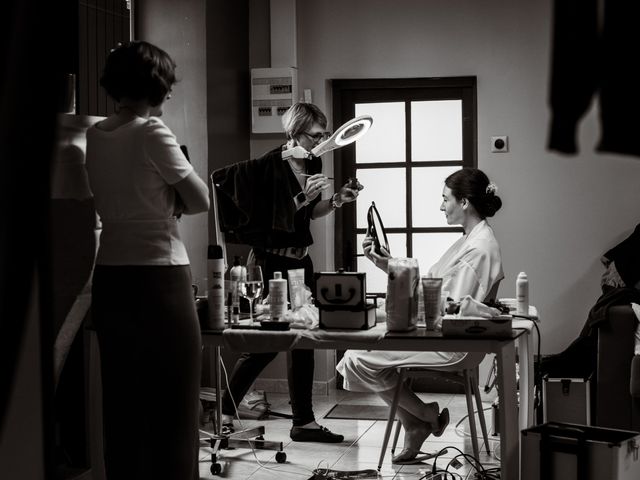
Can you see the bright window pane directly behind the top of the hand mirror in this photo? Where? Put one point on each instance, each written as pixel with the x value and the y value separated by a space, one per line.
pixel 386 187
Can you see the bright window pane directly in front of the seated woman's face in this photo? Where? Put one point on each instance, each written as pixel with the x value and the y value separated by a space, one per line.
pixel 426 193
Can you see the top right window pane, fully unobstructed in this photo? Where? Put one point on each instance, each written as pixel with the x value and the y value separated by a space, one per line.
pixel 436 130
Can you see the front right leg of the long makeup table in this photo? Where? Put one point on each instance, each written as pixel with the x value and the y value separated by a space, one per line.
pixel 508 415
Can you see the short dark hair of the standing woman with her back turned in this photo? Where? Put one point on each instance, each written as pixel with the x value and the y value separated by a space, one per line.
pixel 140 71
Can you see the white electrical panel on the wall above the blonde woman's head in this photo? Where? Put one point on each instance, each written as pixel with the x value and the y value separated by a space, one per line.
pixel 273 91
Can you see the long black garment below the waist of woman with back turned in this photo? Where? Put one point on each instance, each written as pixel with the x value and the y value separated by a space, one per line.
pixel 150 352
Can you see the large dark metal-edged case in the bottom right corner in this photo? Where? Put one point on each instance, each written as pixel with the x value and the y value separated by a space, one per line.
pixel 565 451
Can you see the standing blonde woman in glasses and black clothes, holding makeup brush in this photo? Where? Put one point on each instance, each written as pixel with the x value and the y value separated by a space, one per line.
pixel 269 203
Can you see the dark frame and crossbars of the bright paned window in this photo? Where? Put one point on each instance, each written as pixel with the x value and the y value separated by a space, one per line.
pixel 348 92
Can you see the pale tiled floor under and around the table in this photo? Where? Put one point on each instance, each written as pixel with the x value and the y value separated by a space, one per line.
pixel 360 449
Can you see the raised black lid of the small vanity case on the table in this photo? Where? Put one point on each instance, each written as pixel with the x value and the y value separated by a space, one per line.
pixel 340 290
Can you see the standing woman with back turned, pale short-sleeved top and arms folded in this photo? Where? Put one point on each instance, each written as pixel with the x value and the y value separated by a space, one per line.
pixel 142 301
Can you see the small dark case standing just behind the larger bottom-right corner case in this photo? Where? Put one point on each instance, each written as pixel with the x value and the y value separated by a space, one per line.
pixel 566 400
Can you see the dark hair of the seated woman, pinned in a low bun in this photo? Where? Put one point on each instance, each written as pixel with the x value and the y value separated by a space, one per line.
pixel 474 185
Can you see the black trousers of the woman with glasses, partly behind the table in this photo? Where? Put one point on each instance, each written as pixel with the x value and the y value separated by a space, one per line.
pixel 300 363
